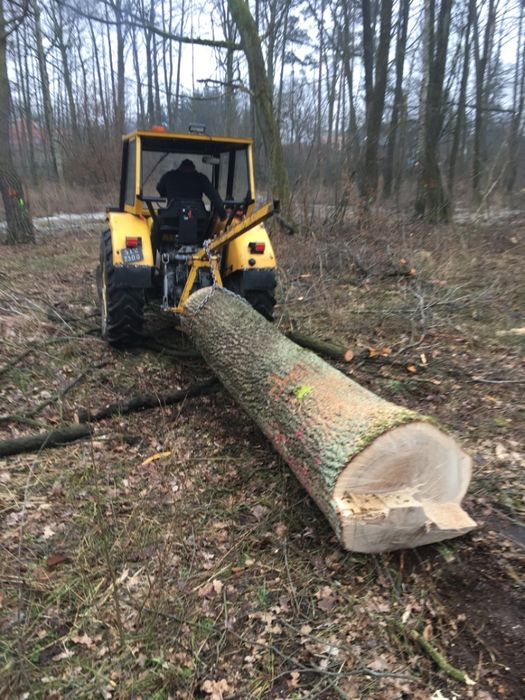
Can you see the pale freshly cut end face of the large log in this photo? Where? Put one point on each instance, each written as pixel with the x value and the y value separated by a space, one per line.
pixel 404 490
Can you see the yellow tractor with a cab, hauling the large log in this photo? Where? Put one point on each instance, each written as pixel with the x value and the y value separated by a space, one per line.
pixel 159 249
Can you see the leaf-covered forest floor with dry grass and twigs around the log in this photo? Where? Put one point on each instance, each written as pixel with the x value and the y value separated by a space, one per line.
pixel 174 555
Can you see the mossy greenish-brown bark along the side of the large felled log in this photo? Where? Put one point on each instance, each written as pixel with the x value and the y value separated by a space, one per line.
pixel 317 418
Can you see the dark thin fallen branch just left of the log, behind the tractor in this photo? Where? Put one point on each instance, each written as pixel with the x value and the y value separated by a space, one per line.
pixel 140 402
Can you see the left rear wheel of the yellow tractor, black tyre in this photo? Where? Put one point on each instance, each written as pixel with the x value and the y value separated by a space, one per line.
pixel 121 308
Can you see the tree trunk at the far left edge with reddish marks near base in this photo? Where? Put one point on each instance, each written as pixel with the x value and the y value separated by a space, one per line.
pixel 19 222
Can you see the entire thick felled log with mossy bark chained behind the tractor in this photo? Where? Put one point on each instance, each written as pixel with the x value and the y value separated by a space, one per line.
pixel 385 477
